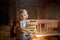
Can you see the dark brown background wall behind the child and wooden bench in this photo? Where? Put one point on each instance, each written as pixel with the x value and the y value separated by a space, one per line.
pixel 37 9
